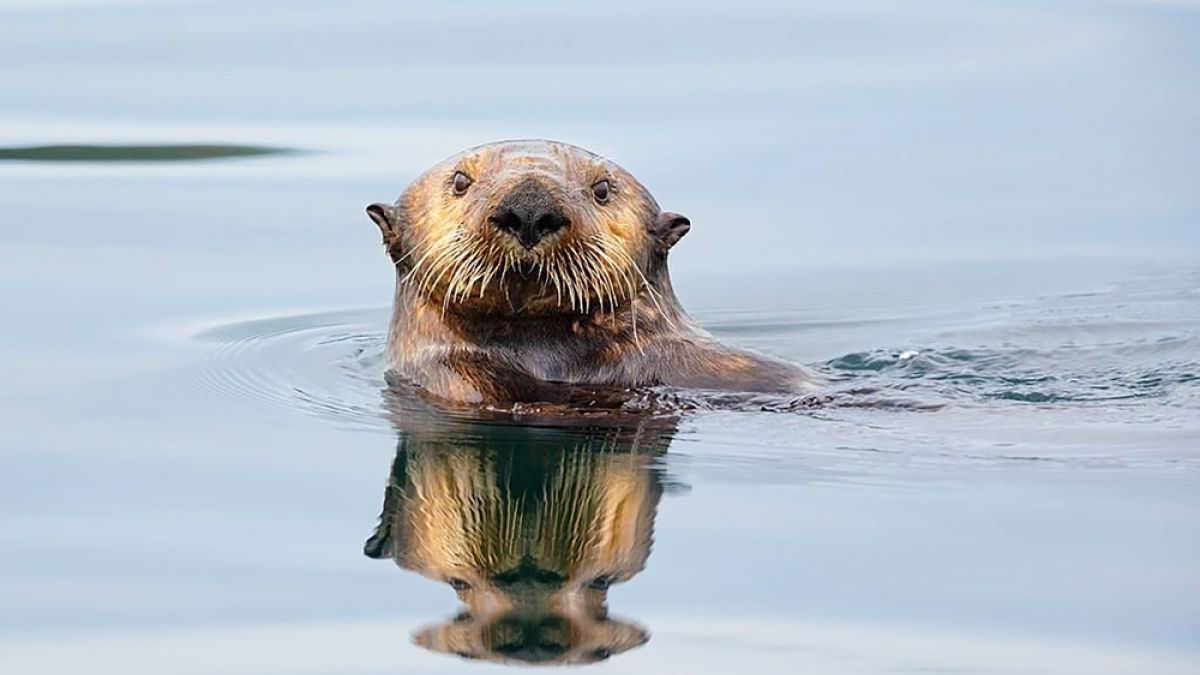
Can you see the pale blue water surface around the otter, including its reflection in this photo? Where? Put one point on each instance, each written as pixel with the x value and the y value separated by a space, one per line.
pixel 979 219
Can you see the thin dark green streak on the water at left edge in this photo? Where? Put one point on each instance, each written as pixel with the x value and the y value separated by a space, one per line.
pixel 167 153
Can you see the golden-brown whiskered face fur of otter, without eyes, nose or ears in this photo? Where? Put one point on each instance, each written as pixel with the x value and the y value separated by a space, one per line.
pixel 453 255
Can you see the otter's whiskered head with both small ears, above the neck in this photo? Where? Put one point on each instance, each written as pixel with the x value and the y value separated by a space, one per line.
pixel 530 228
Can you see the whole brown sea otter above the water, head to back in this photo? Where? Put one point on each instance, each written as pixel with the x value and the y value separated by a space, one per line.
pixel 530 271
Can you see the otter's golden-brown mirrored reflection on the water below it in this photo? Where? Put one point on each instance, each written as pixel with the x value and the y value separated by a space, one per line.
pixel 530 527
